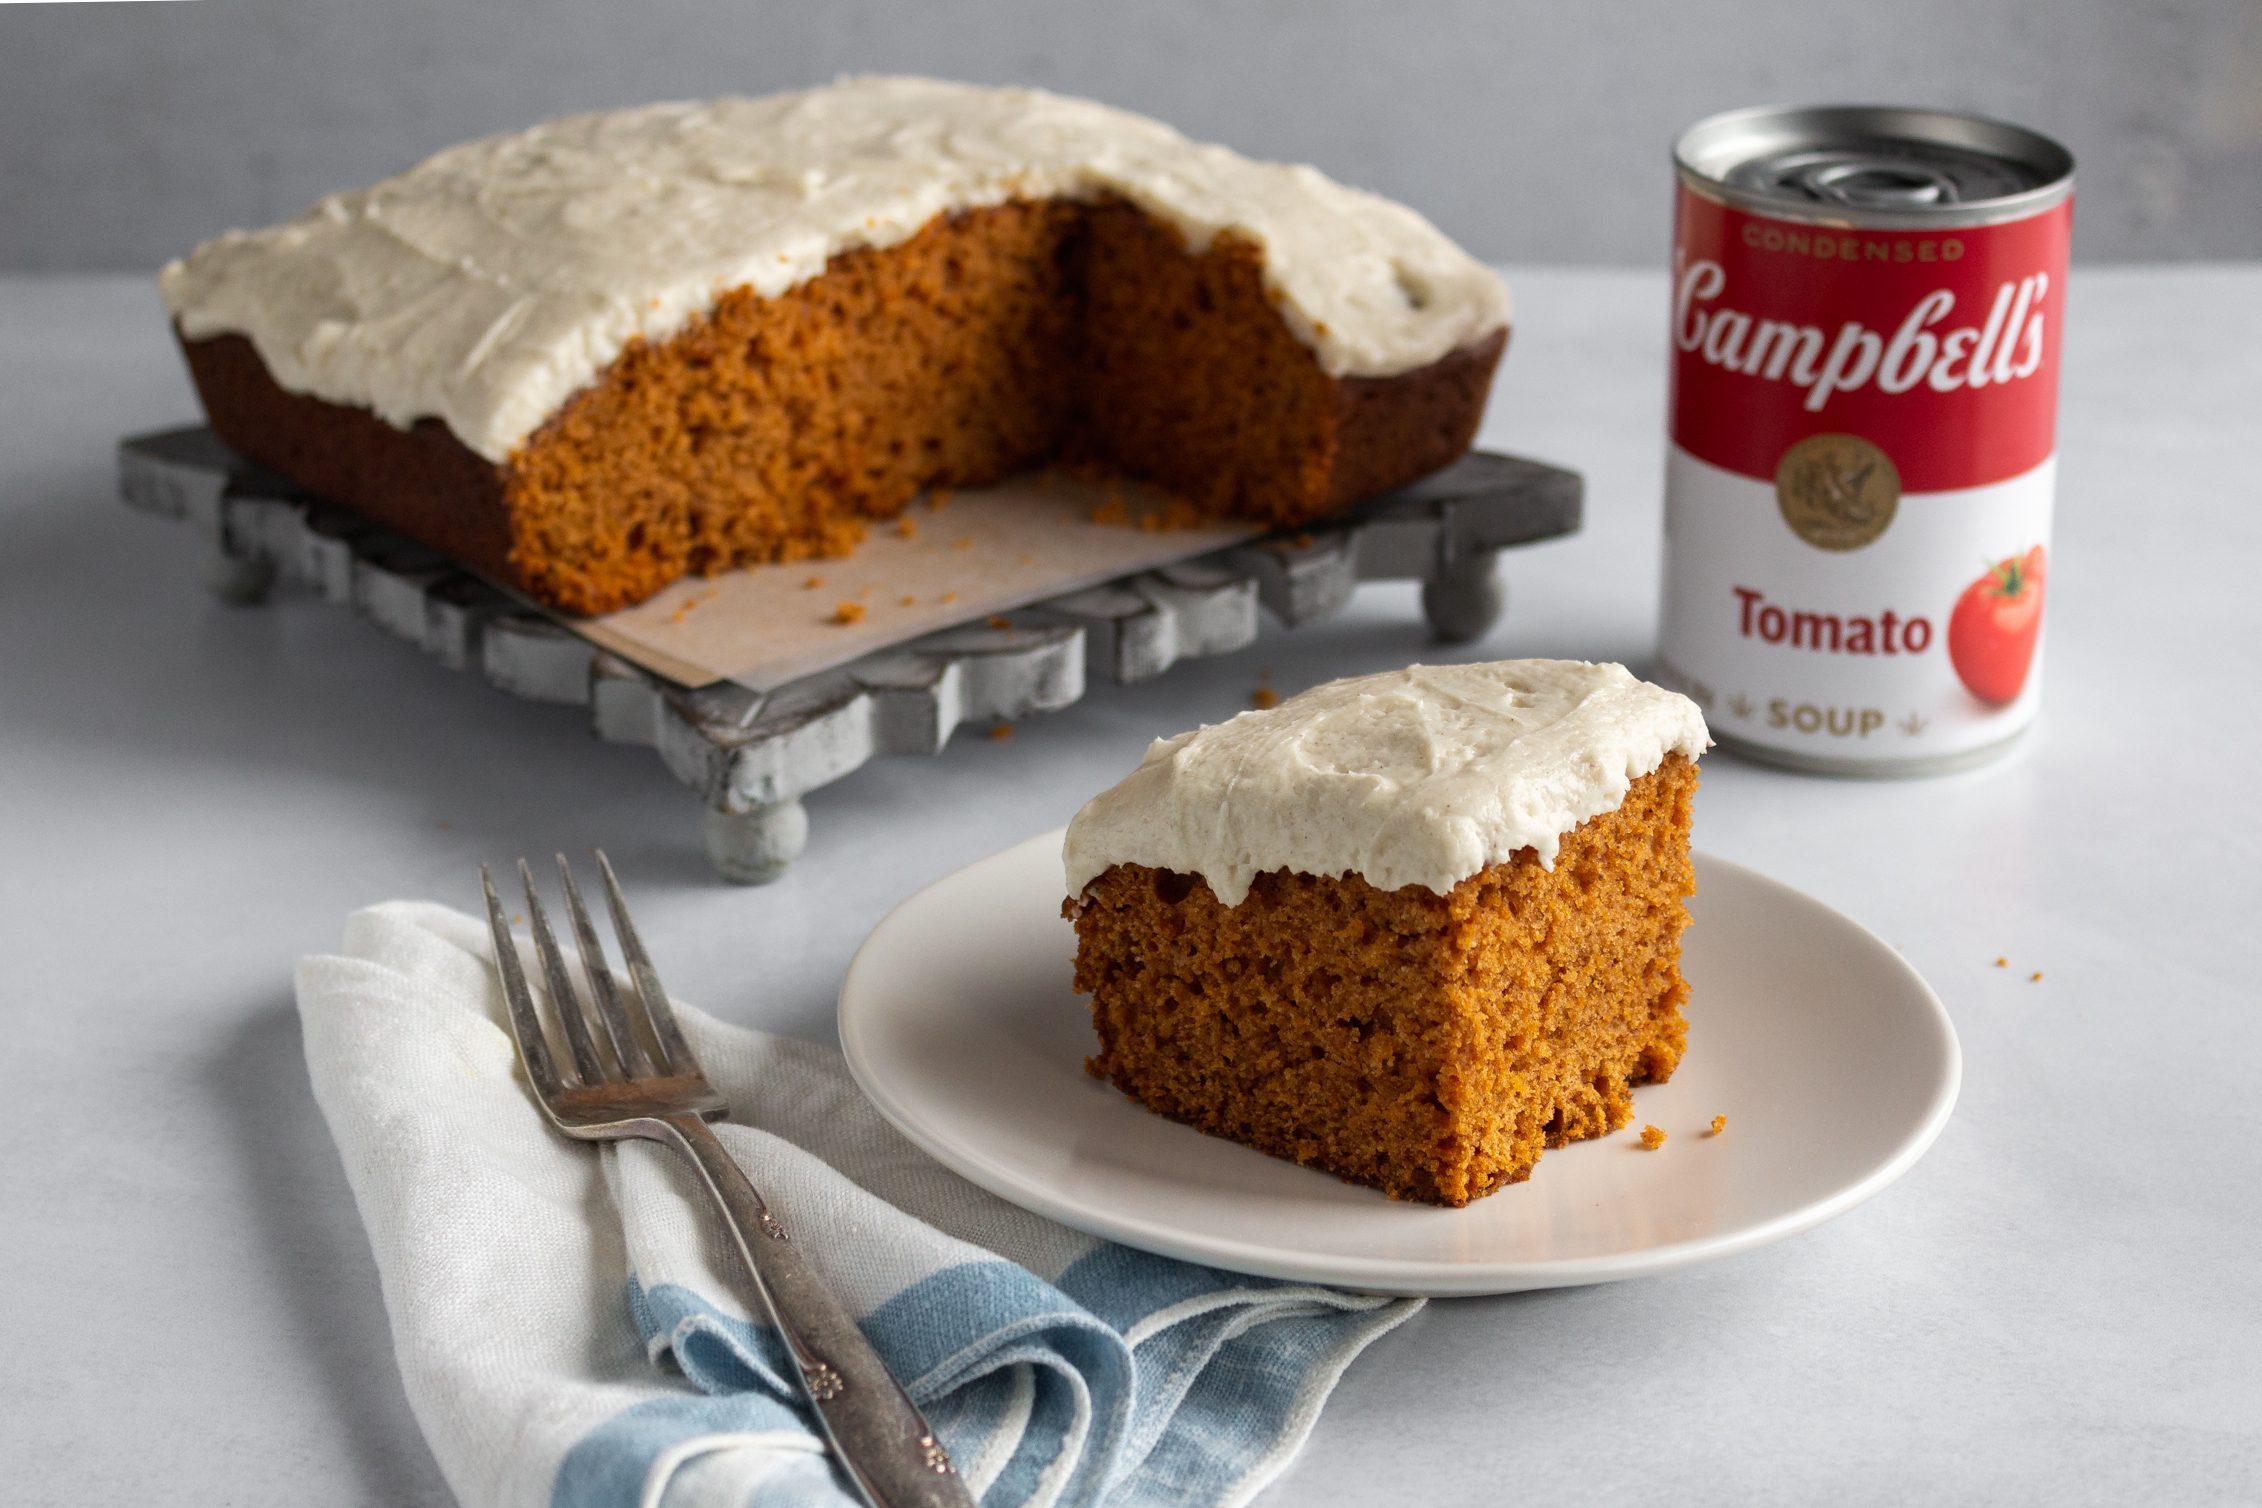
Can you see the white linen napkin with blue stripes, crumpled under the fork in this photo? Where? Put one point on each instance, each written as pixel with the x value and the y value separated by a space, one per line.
pixel 569 1319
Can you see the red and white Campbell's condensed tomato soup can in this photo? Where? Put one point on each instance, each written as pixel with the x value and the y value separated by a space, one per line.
pixel 1867 313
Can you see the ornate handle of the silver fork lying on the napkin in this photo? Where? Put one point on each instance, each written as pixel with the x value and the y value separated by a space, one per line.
pixel 877 1430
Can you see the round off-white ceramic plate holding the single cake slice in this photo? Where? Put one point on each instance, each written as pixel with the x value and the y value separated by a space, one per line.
pixel 1829 1055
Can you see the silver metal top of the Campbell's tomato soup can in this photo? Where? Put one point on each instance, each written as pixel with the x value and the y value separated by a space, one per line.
pixel 1874 166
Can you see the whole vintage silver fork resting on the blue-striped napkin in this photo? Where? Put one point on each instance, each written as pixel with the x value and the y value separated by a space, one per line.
pixel 634 1077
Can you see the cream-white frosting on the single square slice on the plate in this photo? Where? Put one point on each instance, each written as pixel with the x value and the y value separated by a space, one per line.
pixel 1417 777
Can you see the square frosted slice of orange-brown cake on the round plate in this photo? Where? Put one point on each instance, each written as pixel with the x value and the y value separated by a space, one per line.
pixel 1406 928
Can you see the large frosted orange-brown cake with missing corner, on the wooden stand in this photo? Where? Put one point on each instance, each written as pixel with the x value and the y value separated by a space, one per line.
pixel 614 349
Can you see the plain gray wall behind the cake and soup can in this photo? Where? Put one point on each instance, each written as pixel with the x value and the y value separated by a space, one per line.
pixel 1535 132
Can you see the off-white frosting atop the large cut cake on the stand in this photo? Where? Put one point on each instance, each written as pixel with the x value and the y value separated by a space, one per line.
pixel 492 281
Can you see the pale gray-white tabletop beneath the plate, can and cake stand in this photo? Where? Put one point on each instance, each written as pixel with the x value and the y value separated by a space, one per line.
pixel 2062 1303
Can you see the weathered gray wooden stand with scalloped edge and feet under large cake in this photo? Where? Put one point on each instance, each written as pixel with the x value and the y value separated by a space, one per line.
pixel 752 756
